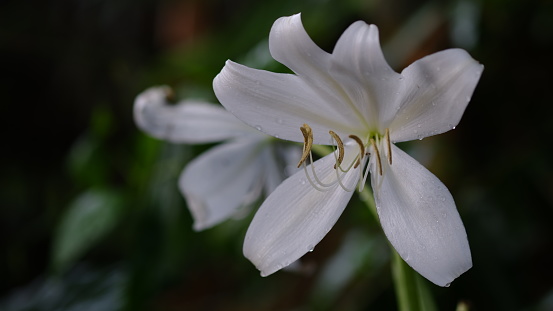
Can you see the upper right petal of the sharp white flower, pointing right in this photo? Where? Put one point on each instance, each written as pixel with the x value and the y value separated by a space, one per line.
pixel 434 95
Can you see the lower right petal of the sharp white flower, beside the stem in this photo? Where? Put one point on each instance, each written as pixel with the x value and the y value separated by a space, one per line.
pixel 419 217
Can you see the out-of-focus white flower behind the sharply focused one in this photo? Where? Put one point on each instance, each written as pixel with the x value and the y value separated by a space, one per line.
pixel 229 176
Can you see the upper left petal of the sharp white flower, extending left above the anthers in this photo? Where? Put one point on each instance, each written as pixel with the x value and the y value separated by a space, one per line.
pixel 278 104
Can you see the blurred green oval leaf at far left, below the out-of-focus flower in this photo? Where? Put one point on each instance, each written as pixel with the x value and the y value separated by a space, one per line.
pixel 89 218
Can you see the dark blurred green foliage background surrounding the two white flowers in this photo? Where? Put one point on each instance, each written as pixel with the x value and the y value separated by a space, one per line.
pixel 91 217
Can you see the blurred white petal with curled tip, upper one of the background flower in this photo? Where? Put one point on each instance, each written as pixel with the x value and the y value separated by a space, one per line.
pixel 186 122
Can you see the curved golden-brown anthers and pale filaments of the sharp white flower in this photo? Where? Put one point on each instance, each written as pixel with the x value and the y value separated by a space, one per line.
pixel 368 147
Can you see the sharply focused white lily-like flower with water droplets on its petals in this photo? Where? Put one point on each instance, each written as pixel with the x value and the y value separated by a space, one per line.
pixel 354 100
